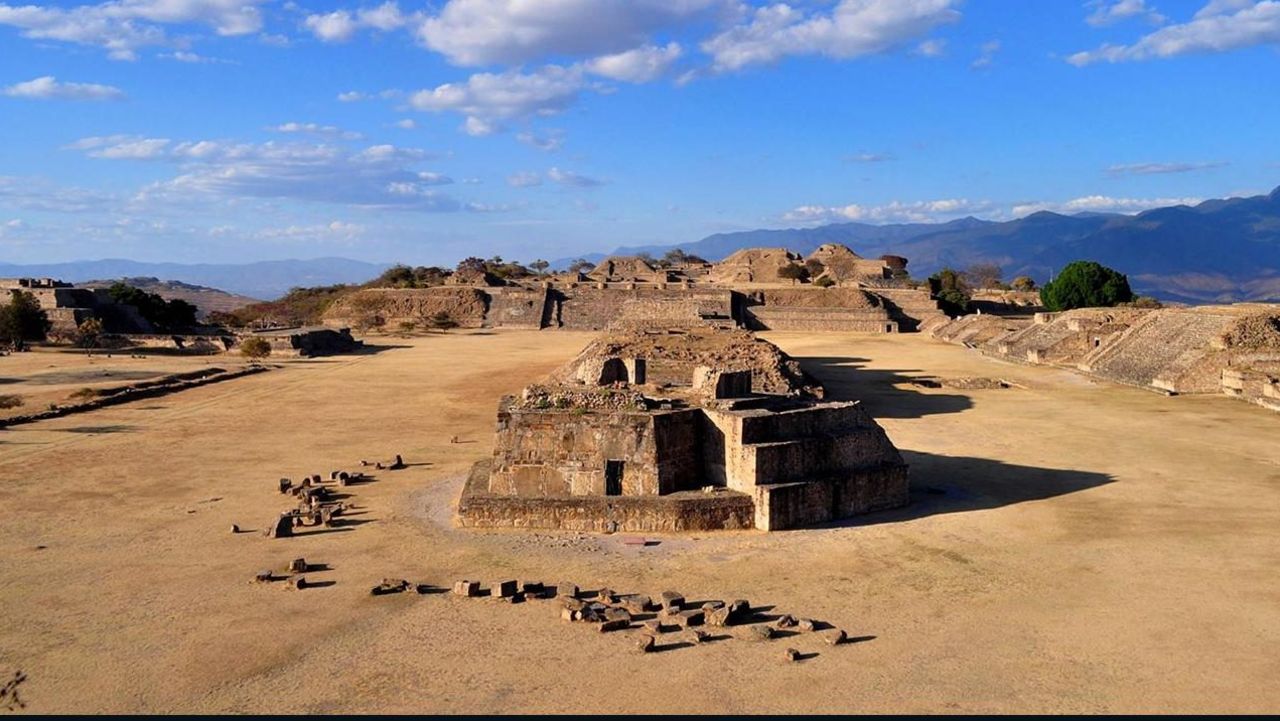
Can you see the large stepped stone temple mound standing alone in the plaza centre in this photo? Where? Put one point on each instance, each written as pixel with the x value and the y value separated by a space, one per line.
pixel 682 431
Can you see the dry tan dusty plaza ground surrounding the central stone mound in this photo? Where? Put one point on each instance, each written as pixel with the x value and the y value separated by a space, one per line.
pixel 1072 547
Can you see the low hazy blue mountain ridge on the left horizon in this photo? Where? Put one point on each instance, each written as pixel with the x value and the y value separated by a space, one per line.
pixel 266 280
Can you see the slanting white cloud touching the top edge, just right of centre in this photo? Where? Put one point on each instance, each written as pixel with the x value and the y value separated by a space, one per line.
pixel 851 30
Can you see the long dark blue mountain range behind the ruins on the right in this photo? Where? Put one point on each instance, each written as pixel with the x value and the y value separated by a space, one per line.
pixel 1218 252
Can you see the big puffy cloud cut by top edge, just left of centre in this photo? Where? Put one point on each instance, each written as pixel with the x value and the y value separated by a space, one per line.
pixel 484 33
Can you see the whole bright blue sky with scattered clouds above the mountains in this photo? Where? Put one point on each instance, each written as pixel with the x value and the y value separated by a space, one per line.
pixel 226 131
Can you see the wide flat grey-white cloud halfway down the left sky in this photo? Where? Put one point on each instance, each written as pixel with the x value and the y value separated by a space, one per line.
pixel 381 176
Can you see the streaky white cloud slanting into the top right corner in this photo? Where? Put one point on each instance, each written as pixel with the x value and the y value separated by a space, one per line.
pixel 1218 28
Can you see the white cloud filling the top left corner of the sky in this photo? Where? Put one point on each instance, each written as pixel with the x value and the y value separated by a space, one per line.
pixel 124 26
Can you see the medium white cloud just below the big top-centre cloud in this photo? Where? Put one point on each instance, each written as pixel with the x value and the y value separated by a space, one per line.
pixel 491 99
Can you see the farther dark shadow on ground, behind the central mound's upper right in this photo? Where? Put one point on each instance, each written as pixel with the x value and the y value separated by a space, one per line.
pixel 848 380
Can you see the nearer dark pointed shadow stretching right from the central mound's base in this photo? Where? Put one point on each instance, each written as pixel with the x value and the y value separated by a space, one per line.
pixel 954 485
